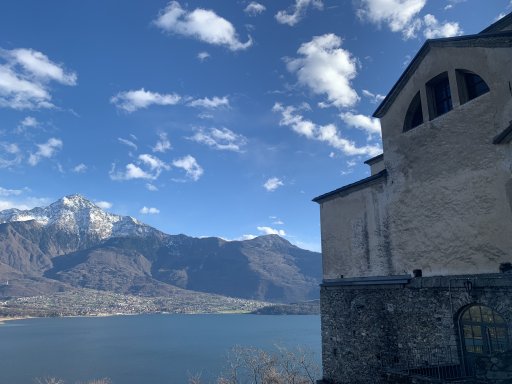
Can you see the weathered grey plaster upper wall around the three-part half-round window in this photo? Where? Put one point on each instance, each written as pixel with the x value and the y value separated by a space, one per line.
pixel 446 205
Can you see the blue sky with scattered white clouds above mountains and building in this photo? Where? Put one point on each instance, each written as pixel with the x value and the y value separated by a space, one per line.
pixel 209 118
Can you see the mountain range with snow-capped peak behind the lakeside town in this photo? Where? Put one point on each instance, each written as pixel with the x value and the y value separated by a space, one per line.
pixel 73 243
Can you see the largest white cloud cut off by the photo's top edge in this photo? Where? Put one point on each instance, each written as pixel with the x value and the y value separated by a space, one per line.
pixel 399 15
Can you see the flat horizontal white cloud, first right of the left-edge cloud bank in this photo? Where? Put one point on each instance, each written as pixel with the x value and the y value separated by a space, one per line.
pixel 130 101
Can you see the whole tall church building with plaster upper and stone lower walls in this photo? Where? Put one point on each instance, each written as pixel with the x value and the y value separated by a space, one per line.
pixel 417 282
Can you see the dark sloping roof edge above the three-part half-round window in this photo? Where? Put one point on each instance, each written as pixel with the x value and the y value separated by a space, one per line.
pixel 458 41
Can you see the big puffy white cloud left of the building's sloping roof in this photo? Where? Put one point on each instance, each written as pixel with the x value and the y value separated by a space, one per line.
pixel 326 69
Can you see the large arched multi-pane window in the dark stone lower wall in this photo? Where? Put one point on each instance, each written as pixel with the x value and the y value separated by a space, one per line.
pixel 483 331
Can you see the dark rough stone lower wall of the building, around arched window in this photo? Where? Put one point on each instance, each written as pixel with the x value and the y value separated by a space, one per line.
pixel 367 329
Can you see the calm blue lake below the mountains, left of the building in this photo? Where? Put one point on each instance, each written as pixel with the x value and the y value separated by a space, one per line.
pixel 143 349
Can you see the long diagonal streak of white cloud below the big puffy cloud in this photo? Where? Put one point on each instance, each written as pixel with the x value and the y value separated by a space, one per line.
pixel 325 133
